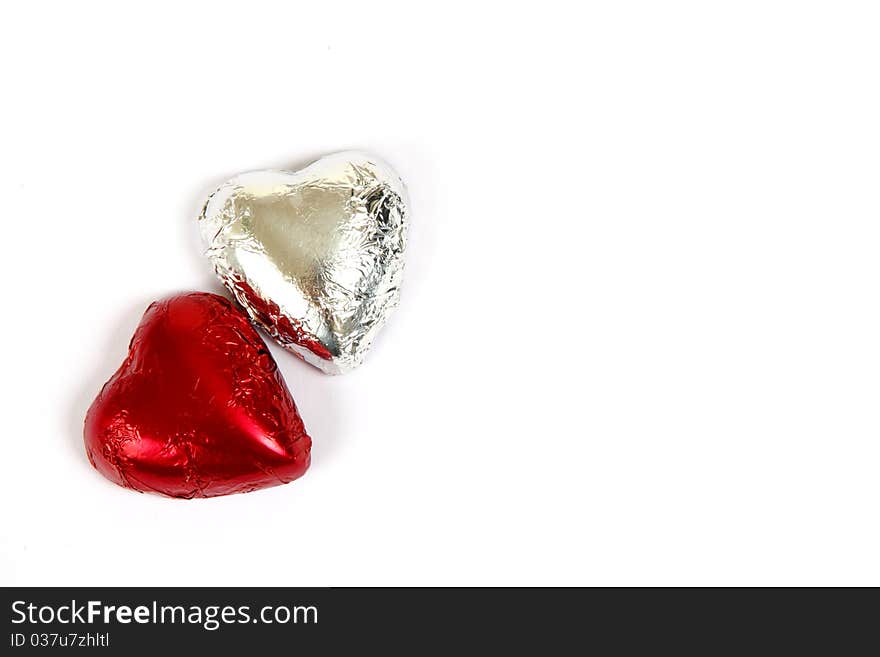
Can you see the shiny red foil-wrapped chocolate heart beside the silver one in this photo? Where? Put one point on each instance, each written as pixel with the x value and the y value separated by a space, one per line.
pixel 198 408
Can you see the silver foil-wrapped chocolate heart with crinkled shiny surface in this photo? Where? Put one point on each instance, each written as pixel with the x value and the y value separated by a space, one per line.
pixel 314 256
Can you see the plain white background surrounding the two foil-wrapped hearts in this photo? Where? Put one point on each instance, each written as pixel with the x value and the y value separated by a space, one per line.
pixel 639 339
